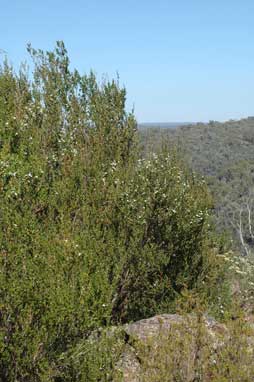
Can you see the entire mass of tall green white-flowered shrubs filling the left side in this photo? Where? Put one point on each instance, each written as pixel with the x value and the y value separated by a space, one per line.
pixel 91 233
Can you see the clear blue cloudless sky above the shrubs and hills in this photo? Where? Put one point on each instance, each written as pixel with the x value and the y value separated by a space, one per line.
pixel 180 60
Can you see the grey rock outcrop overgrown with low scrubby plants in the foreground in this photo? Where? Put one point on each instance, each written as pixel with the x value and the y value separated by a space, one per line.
pixel 172 347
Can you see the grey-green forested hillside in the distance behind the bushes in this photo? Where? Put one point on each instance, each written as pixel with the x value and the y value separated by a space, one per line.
pixel 223 153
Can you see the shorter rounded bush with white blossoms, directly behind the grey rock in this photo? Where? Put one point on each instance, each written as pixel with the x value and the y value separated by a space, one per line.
pixel 170 248
